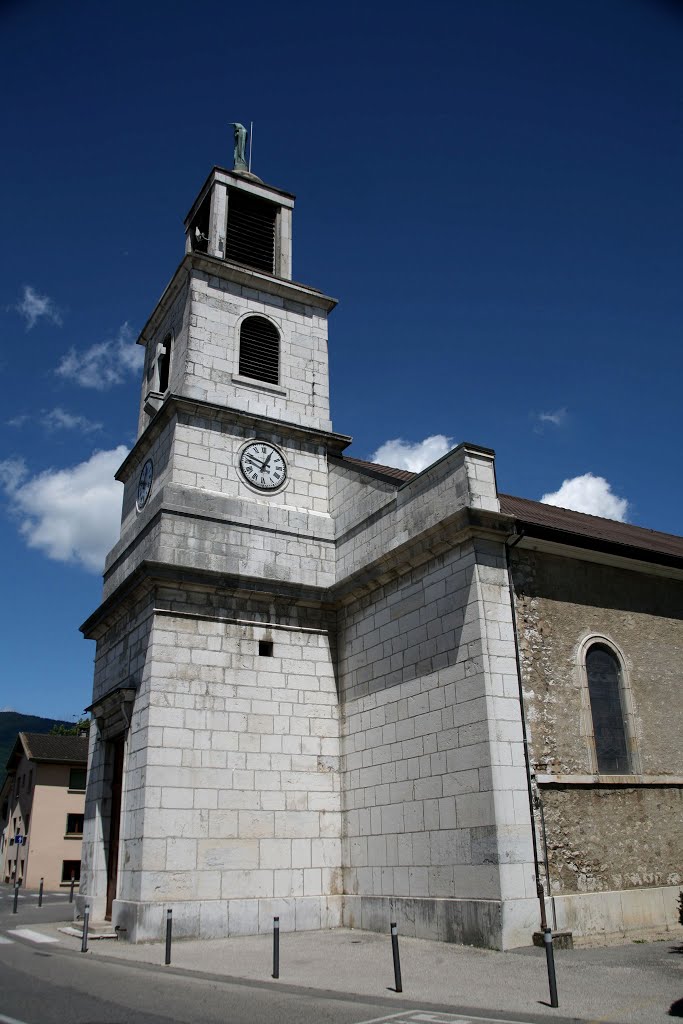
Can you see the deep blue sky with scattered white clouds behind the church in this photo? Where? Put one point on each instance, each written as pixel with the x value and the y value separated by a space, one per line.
pixel 492 190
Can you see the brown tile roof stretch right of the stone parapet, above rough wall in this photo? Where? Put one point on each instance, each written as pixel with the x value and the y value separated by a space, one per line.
pixel 594 529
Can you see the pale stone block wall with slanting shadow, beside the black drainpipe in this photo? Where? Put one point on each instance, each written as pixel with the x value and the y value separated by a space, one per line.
pixel 436 800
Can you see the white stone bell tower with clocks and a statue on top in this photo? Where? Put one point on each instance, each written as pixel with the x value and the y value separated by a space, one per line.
pixel 215 782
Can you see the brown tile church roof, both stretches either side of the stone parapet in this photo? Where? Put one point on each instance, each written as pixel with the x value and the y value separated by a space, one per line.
pixel 586 531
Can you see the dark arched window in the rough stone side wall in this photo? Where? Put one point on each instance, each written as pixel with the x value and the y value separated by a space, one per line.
pixel 605 688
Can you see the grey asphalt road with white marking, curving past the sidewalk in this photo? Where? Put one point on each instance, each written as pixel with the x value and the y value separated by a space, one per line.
pixel 46 983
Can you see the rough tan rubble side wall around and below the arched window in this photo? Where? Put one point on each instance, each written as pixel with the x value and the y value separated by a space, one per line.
pixel 604 836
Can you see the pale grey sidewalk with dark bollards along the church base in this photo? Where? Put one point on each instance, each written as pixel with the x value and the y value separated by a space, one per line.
pixel 632 985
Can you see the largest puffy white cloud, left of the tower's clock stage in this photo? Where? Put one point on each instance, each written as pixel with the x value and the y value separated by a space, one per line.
pixel 72 516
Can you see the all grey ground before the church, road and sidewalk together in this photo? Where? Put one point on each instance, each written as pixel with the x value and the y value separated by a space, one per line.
pixel 329 978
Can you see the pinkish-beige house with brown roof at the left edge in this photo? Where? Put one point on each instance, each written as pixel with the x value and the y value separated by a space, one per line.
pixel 42 800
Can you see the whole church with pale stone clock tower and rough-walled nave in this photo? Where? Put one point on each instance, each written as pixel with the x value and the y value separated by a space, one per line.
pixel 349 695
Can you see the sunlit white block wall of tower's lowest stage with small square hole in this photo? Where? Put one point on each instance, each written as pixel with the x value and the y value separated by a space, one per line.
pixel 240 774
